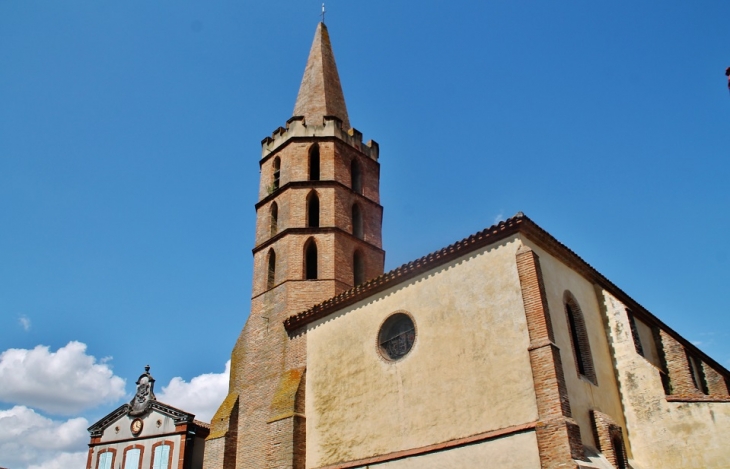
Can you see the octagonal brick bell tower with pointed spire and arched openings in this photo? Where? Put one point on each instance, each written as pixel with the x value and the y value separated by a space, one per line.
pixel 318 233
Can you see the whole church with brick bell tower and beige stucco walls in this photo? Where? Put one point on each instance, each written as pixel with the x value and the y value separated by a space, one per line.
pixel 503 350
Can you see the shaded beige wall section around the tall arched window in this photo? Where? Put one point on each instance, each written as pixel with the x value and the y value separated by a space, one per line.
pixel 583 394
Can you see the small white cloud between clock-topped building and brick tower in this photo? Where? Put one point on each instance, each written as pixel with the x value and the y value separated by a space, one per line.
pixel 201 396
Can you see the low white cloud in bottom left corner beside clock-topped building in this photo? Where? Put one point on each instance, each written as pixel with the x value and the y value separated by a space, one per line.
pixel 29 440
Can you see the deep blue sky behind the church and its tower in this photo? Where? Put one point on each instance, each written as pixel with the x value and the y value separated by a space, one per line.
pixel 130 137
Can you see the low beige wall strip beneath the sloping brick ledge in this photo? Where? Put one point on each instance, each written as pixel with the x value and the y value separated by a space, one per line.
pixel 516 452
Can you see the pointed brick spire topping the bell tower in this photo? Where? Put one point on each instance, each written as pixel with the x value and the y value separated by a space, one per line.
pixel 320 93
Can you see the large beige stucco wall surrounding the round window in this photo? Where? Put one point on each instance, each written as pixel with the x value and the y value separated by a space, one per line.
pixel 468 371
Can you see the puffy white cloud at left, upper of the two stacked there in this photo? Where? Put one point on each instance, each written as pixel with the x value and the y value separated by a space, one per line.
pixel 63 382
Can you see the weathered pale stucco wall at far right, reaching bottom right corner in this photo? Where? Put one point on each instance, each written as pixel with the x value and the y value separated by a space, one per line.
pixel 670 435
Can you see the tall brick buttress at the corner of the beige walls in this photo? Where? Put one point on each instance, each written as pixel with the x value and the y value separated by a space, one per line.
pixel 558 435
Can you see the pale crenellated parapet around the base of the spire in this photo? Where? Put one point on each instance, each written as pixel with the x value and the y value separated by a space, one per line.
pixel 297 127
